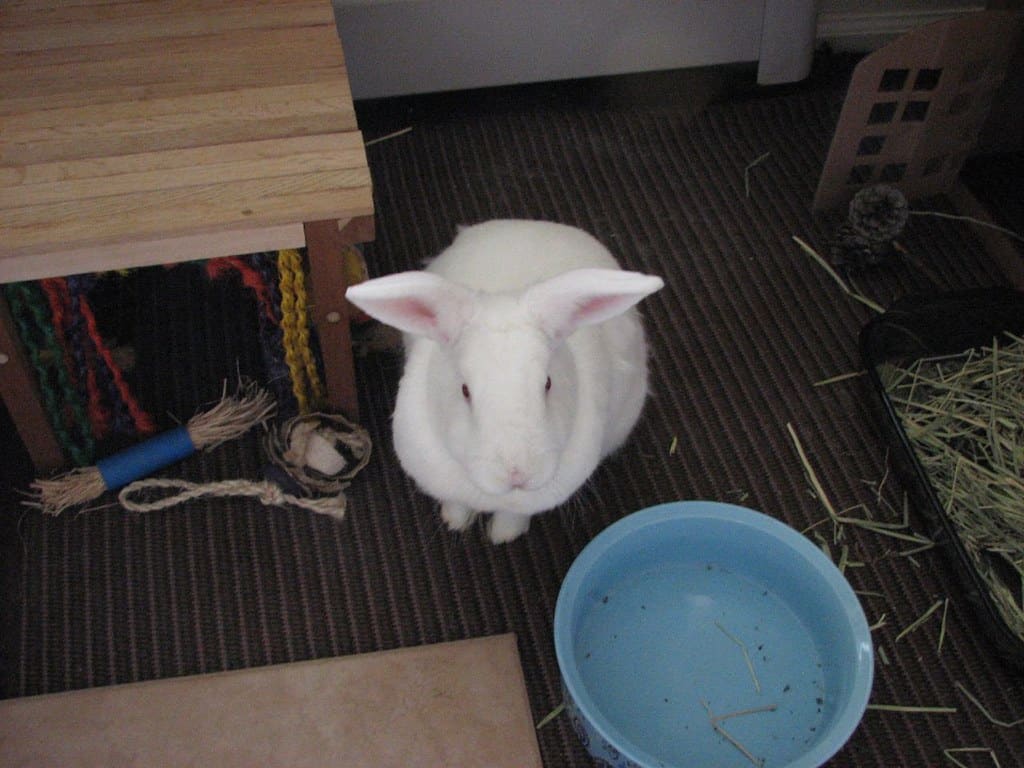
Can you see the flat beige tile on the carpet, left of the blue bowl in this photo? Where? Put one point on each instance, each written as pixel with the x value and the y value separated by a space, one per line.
pixel 457 704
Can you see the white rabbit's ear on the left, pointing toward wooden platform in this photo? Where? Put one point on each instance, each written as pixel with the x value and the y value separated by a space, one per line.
pixel 416 303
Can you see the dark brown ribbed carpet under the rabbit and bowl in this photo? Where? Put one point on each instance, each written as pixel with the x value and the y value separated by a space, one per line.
pixel 744 329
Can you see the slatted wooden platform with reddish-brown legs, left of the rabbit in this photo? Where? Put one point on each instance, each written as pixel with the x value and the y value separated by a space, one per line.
pixel 154 132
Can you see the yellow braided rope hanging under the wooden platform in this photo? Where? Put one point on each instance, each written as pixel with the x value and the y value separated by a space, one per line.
pixel 295 325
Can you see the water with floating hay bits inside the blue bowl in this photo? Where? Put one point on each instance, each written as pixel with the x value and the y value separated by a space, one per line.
pixel 666 647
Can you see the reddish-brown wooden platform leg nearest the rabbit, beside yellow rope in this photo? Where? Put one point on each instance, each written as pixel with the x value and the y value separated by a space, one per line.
pixel 325 241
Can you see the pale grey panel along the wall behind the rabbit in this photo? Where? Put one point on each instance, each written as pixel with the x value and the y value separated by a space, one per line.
pixel 396 48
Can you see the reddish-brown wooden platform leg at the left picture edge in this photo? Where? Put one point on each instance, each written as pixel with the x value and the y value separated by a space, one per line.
pixel 20 392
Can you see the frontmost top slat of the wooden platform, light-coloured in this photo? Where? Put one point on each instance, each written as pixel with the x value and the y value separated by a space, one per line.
pixel 173 212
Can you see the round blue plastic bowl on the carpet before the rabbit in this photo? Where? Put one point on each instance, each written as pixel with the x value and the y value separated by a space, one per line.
pixel 693 610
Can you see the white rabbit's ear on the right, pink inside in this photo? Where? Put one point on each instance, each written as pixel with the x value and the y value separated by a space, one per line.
pixel 584 297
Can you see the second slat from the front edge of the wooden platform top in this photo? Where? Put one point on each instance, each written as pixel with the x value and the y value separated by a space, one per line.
pixel 136 175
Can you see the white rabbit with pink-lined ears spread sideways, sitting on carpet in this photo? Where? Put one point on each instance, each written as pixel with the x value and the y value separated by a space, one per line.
pixel 526 366
